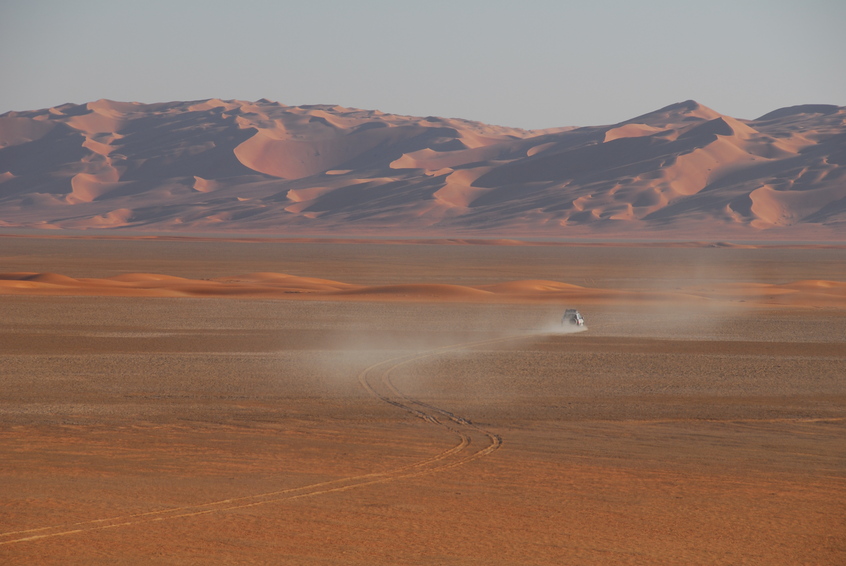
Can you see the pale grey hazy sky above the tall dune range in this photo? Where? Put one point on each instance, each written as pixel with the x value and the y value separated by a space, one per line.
pixel 529 64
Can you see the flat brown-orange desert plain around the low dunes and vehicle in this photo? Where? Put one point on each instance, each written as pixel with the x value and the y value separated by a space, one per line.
pixel 242 430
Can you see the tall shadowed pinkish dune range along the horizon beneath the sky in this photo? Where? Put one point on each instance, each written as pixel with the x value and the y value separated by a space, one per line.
pixel 684 171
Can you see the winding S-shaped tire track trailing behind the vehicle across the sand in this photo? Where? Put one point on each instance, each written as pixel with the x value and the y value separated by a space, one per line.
pixel 473 442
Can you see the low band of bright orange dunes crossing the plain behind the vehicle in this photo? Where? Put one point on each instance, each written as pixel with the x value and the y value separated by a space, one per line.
pixel 808 293
